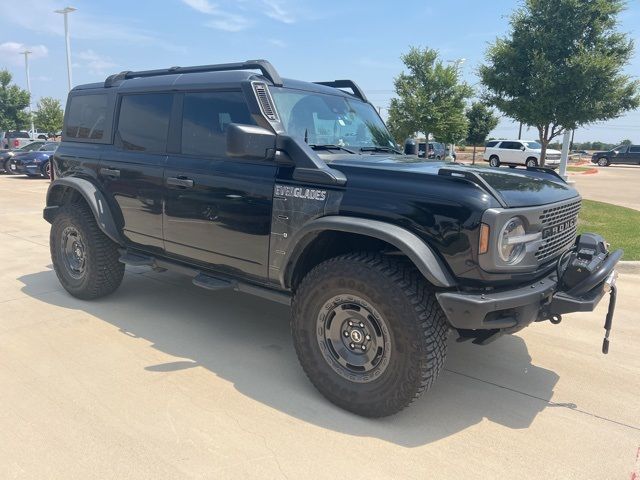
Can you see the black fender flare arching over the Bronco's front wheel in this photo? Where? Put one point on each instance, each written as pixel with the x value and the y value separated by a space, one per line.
pixel 418 251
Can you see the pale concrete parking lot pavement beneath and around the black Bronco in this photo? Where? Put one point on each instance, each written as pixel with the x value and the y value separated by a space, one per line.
pixel 165 380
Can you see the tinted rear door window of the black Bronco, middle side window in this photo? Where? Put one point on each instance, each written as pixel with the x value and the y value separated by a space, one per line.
pixel 143 122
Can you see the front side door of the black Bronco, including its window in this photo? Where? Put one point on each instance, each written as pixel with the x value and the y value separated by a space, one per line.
pixel 217 209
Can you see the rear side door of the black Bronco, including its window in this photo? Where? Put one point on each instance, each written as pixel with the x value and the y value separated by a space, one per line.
pixel 131 171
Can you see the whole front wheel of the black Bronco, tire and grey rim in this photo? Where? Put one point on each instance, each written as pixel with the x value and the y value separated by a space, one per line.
pixel 368 333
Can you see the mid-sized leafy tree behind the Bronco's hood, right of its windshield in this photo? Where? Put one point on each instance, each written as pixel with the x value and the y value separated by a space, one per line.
pixel 431 99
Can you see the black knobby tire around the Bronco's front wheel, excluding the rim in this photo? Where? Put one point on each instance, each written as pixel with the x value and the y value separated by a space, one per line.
pixel 416 326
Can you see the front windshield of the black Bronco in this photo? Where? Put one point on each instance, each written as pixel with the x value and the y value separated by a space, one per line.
pixel 322 119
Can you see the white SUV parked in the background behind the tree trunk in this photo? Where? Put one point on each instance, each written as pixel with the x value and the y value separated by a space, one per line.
pixel 519 152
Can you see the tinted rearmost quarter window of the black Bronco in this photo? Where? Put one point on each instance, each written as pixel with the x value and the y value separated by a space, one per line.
pixel 86 117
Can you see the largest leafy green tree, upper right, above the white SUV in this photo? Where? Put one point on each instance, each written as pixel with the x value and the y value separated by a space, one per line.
pixel 561 66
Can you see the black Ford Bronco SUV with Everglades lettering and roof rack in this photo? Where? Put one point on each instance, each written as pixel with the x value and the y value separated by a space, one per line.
pixel 295 192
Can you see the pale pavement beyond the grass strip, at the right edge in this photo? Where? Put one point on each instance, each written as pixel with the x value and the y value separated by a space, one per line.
pixel 617 184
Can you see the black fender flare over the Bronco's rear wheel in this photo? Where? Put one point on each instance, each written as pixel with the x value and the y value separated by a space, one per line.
pixel 94 198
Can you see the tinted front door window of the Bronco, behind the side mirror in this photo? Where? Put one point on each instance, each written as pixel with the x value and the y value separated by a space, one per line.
pixel 205 117
